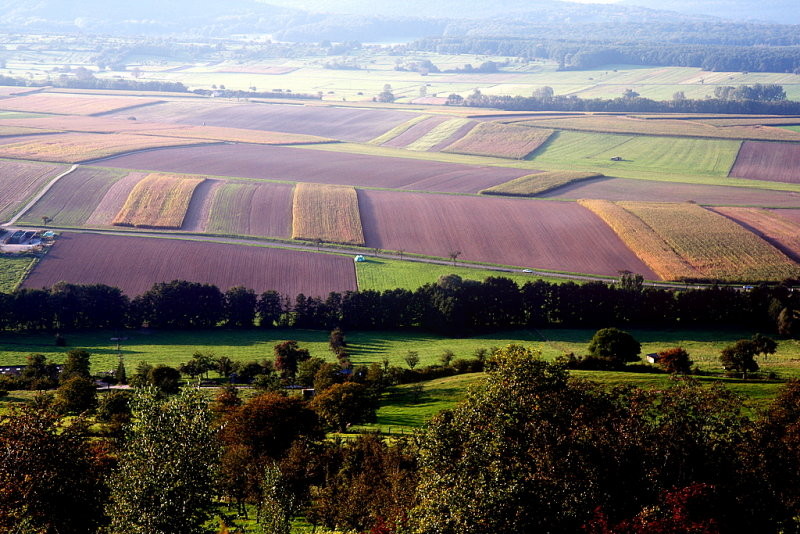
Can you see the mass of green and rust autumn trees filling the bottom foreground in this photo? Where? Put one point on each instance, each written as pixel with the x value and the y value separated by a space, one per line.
pixel 530 450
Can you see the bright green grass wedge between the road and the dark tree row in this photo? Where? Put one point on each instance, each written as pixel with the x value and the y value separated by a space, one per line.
pixel 382 274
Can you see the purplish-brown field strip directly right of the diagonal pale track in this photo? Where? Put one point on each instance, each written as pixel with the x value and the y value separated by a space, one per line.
pixel 75 197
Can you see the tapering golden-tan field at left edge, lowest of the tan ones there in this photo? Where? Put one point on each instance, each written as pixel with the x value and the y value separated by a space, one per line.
pixel 77 147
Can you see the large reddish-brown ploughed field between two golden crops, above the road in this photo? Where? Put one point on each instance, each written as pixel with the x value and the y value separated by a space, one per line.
pixel 541 234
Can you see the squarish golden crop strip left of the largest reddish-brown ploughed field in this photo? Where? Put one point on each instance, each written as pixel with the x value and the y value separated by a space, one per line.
pixel 326 212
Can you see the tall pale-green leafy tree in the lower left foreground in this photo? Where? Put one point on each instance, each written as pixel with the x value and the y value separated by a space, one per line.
pixel 166 479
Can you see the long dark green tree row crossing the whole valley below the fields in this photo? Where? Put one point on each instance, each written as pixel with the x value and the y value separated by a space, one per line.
pixel 451 305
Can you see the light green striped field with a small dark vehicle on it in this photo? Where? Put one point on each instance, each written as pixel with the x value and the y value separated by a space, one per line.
pixel 664 154
